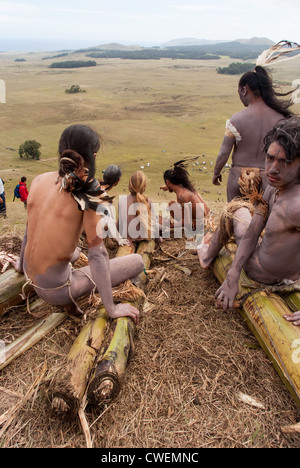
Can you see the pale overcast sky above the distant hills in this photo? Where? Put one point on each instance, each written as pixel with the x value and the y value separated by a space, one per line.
pixel 82 23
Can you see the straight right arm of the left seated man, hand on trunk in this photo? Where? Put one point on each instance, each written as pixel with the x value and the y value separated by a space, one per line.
pixel 100 269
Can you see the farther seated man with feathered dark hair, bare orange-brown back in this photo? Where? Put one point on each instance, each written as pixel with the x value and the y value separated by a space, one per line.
pixel 177 180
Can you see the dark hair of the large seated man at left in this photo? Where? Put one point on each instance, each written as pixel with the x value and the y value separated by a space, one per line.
pixel 77 146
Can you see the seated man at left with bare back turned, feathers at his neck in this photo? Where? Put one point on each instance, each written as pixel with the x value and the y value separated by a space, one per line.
pixel 55 223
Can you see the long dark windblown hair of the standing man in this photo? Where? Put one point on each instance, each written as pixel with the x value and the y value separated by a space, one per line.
pixel 261 84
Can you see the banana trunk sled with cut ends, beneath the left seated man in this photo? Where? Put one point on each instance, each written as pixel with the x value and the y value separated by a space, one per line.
pixel 97 361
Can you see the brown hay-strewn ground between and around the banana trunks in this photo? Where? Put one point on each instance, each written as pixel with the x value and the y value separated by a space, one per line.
pixel 182 387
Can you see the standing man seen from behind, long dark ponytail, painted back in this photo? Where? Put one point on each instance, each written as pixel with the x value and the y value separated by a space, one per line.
pixel 245 132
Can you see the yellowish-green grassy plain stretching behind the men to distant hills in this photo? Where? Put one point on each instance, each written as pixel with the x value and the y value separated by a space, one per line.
pixel 147 112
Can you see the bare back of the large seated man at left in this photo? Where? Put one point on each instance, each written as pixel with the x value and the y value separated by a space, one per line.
pixel 46 245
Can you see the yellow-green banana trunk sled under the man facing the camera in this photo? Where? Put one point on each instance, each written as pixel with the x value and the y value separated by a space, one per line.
pixel 264 311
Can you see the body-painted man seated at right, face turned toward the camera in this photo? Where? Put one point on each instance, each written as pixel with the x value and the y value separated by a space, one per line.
pixel 277 256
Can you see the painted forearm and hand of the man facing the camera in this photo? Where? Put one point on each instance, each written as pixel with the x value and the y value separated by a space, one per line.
pixel 226 293
